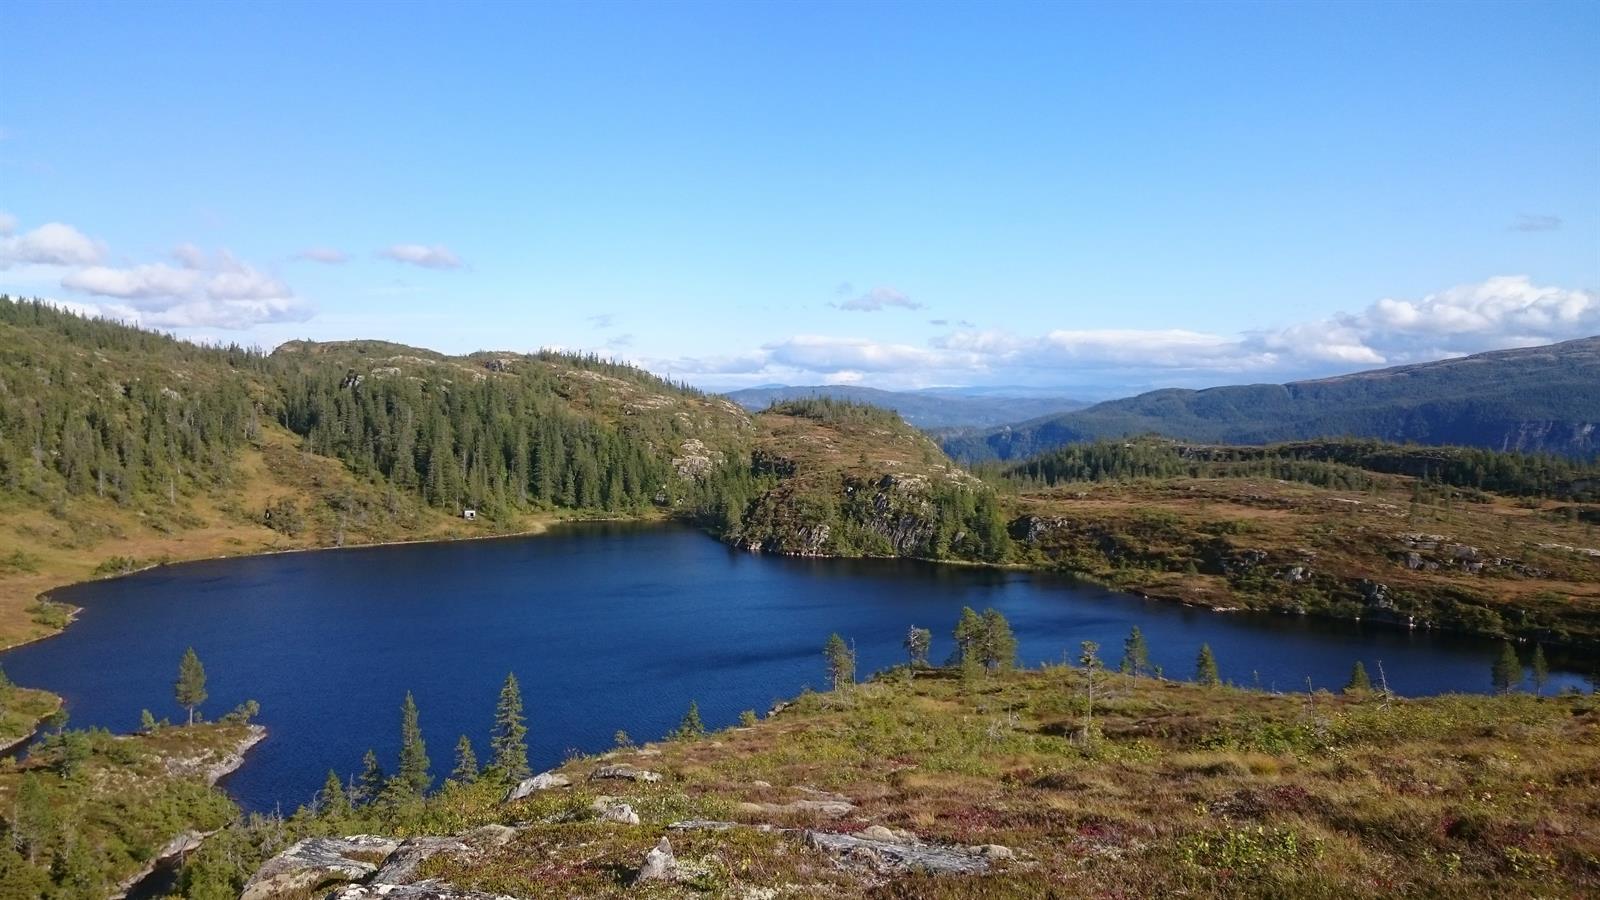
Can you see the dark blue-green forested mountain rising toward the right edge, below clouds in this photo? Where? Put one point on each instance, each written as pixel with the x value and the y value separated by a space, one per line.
pixel 1532 400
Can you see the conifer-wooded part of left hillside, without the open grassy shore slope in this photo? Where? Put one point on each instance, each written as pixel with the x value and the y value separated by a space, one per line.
pixel 142 420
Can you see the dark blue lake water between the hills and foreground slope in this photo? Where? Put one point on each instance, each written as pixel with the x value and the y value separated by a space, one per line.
pixel 607 627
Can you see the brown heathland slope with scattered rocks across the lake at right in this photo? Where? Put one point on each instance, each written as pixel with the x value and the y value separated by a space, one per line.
pixel 1170 537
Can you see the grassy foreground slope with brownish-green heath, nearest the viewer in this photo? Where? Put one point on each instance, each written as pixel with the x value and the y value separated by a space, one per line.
pixel 1175 790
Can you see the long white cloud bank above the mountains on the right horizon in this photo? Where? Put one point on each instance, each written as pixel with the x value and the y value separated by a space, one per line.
pixel 1498 313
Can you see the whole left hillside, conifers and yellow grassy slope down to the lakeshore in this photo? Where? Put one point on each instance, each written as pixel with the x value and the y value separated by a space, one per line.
pixel 122 448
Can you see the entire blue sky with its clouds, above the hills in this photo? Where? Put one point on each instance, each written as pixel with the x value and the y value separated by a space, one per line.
pixel 898 195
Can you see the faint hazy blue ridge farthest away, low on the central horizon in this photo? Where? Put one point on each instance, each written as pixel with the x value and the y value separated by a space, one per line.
pixel 929 409
